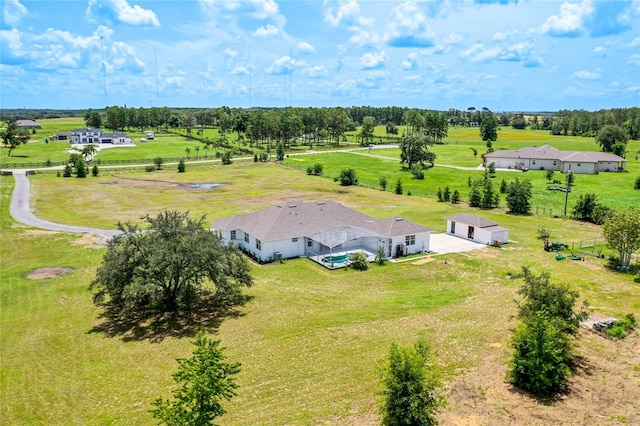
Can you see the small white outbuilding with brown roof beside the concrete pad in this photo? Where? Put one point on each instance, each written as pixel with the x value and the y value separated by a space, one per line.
pixel 477 228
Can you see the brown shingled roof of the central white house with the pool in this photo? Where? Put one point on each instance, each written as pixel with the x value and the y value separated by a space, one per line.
pixel 297 219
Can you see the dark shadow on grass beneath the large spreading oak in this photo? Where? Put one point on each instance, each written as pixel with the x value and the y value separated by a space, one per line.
pixel 208 314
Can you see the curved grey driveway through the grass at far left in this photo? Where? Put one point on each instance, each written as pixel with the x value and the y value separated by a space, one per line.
pixel 21 211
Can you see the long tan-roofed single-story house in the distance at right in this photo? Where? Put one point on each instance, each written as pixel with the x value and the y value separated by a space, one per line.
pixel 549 158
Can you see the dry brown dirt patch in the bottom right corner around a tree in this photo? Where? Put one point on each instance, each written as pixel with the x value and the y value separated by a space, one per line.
pixel 605 389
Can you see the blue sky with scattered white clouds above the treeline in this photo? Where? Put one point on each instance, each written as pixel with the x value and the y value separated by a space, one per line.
pixel 502 54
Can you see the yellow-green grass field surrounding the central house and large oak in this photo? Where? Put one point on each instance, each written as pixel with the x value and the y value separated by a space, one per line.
pixel 310 340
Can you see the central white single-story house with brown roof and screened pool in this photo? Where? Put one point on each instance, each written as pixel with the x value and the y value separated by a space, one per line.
pixel 323 231
